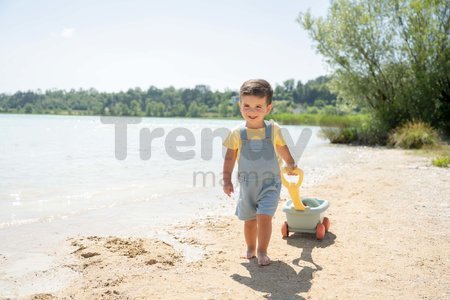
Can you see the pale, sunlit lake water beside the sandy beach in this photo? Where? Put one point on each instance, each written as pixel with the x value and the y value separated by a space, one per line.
pixel 60 178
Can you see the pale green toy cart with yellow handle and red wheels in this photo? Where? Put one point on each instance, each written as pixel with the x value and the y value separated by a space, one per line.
pixel 304 215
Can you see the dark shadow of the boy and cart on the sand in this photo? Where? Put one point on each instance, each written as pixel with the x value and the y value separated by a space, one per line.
pixel 280 280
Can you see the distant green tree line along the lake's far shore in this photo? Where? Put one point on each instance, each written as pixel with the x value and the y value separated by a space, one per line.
pixel 199 101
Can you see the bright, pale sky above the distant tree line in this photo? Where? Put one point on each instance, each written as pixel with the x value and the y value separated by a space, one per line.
pixel 114 45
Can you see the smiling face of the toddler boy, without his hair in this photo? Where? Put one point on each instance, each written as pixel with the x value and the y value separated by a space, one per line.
pixel 253 110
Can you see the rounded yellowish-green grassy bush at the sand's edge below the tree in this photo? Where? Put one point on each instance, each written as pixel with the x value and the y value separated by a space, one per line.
pixel 414 135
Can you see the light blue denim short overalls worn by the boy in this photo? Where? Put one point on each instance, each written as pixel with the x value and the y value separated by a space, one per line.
pixel 258 175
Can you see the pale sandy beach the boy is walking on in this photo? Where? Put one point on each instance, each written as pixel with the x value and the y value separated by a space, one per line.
pixel 389 239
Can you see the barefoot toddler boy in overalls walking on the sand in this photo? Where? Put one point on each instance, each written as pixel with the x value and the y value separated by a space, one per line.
pixel 256 146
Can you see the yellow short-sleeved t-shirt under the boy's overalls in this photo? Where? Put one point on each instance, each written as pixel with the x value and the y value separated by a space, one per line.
pixel 233 141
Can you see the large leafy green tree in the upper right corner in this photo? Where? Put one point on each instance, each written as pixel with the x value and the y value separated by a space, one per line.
pixel 393 56
